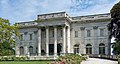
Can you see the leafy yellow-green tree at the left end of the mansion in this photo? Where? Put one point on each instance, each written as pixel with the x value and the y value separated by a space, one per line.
pixel 7 37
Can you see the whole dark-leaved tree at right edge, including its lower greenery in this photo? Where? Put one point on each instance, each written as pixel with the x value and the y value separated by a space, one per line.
pixel 114 27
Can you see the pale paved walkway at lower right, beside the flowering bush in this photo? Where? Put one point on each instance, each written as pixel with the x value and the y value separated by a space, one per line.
pixel 98 61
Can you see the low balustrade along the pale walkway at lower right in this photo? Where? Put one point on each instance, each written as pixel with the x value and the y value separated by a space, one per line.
pixel 111 57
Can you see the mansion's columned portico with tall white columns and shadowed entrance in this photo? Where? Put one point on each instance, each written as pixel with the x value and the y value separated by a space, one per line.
pixel 55 36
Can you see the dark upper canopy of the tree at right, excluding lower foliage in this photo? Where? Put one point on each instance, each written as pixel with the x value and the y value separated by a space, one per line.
pixel 114 25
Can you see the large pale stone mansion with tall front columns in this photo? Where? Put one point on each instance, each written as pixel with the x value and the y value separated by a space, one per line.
pixel 58 34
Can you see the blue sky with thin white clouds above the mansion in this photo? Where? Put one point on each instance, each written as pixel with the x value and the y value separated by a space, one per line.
pixel 27 10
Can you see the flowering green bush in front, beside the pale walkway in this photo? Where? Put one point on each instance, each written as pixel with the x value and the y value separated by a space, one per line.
pixel 71 59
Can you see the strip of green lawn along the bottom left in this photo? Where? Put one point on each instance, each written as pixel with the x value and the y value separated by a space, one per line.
pixel 25 62
